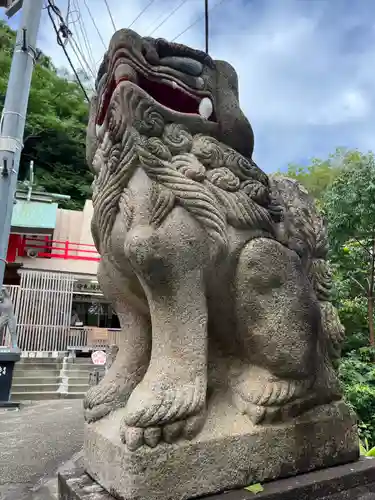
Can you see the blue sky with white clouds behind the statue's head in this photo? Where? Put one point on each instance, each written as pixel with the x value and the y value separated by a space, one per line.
pixel 305 66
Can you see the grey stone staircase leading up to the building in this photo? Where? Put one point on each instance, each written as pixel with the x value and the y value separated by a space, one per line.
pixel 36 379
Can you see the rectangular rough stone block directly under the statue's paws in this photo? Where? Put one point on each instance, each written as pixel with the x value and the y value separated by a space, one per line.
pixel 229 453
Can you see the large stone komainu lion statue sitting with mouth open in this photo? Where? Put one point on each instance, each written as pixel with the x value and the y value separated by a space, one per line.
pixel 217 272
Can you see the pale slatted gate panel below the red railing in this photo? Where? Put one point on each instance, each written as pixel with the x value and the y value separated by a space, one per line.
pixel 43 310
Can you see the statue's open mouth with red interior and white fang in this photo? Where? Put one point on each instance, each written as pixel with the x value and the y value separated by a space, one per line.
pixel 162 88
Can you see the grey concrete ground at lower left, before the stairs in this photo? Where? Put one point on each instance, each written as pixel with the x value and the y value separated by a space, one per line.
pixel 35 442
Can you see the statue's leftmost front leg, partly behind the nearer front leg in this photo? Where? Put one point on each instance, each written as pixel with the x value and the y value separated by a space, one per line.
pixel 134 346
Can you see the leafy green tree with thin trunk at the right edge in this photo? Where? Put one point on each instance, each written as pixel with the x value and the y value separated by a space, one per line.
pixel 349 204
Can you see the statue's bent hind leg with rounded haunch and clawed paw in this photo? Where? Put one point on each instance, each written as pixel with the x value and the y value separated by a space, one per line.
pixel 278 328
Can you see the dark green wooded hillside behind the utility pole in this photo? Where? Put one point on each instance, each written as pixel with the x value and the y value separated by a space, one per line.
pixel 55 127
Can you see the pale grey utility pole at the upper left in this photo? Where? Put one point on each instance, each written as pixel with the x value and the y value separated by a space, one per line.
pixel 12 125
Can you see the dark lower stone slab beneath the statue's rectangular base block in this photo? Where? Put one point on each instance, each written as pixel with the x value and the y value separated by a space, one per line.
pixel 354 481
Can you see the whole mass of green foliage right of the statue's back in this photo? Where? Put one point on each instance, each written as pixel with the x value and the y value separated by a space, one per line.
pixel 345 187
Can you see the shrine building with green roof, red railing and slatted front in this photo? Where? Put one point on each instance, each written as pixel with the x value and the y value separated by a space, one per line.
pixel 51 275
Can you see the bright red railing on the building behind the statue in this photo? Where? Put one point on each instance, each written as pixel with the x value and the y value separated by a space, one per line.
pixel 54 249
